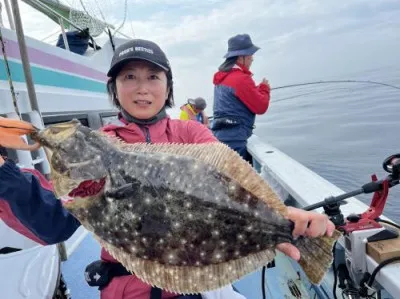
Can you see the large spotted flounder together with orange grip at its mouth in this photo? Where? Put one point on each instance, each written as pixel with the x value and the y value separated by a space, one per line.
pixel 186 218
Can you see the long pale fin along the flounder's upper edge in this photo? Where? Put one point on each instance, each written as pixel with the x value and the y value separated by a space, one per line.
pixel 223 158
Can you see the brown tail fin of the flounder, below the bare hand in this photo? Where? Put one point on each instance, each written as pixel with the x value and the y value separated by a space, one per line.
pixel 316 255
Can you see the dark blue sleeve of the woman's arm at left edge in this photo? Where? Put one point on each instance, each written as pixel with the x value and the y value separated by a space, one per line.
pixel 35 206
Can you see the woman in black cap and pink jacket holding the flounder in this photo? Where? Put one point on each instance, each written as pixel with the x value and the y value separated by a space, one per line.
pixel 141 86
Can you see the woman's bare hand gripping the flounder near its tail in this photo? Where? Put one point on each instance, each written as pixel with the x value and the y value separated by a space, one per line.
pixel 310 224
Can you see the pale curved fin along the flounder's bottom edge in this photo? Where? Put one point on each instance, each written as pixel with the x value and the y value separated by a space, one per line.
pixel 189 280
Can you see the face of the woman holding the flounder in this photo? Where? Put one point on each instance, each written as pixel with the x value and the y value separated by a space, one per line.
pixel 142 89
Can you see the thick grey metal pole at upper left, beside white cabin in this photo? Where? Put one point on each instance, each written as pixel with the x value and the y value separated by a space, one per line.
pixel 24 56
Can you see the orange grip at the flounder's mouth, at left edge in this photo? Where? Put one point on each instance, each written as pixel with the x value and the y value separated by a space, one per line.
pixel 11 131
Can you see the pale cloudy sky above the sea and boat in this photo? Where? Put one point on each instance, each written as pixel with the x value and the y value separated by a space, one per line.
pixel 300 40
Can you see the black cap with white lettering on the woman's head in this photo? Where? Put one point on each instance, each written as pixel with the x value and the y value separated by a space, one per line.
pixel 138 49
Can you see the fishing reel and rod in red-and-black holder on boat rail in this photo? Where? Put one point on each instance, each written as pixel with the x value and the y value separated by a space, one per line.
pixel 357 229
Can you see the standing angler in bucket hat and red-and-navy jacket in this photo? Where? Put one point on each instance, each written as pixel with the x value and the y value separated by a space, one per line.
pixel 237 99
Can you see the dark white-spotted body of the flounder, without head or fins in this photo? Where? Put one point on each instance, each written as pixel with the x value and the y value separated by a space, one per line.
pixel 165 213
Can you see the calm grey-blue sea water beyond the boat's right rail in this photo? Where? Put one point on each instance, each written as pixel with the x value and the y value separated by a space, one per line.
pixel 342 131
